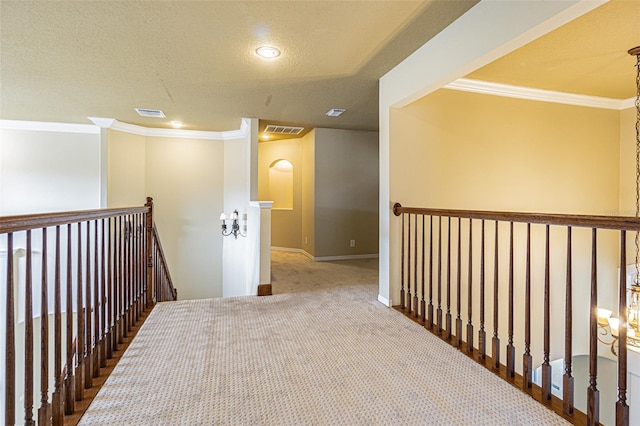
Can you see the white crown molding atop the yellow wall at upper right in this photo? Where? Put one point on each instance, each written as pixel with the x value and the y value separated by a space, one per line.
pixel 519 92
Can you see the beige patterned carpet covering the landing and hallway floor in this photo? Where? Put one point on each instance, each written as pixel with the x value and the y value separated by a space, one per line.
pixel 324 353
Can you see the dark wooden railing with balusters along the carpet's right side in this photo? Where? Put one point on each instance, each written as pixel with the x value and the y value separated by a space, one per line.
pixel 446 288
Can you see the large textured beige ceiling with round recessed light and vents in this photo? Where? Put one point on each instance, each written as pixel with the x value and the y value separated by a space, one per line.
pixel 64 61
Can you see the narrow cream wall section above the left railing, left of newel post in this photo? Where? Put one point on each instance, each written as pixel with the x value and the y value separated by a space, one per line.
pixel 127 163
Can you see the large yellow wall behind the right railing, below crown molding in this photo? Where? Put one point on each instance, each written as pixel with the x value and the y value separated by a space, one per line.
pixel 469 151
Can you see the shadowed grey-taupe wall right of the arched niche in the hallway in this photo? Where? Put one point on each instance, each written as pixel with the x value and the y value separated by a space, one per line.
pixel 346 192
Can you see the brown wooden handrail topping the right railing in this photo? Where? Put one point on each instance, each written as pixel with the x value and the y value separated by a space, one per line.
pixel 585 221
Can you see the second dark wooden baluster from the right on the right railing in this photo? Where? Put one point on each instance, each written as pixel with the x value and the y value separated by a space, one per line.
pixel 593 394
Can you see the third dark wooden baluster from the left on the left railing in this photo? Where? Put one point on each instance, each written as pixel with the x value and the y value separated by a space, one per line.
pixel 44 412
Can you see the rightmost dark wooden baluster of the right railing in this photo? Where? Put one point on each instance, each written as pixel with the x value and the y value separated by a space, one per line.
pixel 622 409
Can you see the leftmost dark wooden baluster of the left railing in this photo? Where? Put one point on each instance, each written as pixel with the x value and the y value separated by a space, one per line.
pixel 10 342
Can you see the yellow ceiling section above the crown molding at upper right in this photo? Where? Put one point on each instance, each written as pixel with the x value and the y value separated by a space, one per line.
pixel 587 56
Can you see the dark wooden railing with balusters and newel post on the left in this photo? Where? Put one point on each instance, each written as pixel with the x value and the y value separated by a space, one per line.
pixel 94 274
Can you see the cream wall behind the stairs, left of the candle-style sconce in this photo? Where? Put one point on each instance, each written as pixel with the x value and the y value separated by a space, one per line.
pixel 185 179
